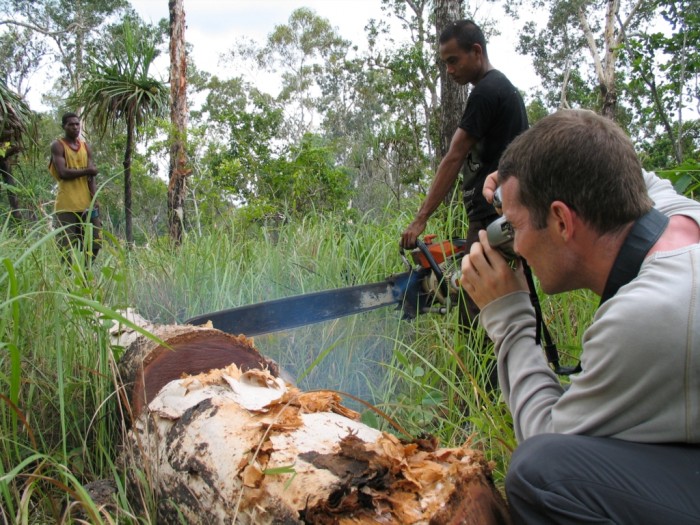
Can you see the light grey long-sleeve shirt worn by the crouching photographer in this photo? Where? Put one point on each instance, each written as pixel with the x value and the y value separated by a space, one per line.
pixel 640 358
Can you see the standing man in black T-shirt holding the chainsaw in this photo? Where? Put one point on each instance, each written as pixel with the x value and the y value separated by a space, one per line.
pixel 494 115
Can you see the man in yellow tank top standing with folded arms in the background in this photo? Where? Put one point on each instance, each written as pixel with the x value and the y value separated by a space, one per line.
pixel 72 166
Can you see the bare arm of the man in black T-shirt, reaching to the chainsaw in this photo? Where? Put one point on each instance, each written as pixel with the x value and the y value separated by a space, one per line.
pixel 445 177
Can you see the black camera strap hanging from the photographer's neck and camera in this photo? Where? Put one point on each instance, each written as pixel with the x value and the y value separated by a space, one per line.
pixel 645 232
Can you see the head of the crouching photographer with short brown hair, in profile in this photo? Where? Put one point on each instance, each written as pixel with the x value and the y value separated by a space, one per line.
pixel 571 186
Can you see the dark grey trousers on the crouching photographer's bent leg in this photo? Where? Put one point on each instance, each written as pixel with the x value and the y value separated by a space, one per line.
pixel 561 479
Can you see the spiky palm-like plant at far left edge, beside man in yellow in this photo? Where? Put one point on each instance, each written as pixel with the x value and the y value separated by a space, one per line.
pixel 15 122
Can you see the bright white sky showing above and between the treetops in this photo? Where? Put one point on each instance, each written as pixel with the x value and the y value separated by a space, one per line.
pixel 213 26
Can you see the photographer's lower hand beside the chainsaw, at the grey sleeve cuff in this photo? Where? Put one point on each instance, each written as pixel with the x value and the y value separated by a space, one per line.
pixel 486 275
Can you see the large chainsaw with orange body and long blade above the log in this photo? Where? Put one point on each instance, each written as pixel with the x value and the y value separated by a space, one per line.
pixel 430 285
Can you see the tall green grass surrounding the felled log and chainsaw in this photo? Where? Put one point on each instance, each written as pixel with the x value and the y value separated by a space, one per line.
pixel 60 425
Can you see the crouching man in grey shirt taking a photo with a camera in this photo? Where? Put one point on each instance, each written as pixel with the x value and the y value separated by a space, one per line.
pixel 622 444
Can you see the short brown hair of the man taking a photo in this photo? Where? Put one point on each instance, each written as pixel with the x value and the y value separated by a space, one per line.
pixel 582 159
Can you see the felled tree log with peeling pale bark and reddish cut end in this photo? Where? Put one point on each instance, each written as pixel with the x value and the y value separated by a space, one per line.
pixel 231 445
